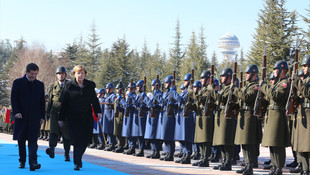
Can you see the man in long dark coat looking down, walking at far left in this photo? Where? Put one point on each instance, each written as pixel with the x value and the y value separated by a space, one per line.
pixel 28 104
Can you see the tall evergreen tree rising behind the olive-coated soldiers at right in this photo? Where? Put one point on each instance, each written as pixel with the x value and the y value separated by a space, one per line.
pixel 276 29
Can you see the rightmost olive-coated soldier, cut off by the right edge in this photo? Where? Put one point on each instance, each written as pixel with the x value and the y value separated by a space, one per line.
pixel 301 141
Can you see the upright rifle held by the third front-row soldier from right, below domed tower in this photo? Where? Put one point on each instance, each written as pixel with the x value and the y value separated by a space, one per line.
pixel 231 97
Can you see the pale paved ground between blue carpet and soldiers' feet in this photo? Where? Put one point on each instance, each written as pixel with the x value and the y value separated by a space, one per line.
pixel 139 165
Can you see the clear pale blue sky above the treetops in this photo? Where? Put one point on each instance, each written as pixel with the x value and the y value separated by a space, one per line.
pixel 55 23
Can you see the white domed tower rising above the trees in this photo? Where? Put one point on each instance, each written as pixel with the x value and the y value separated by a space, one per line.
pixel 228 43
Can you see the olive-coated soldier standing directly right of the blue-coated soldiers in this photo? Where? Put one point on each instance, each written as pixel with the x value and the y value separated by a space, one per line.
pixel 204 122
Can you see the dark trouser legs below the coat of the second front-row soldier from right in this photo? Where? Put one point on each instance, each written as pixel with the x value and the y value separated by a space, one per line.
pixel 277 156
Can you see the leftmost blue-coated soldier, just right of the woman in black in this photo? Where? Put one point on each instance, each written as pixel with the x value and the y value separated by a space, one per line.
pixel 101 95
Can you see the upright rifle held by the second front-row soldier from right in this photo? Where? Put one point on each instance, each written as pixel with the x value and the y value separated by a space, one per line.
pixel 258 110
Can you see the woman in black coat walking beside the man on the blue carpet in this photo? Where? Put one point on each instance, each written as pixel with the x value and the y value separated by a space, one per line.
pixel 78 98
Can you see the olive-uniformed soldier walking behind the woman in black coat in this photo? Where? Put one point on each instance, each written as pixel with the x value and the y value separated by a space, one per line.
pixel 53 109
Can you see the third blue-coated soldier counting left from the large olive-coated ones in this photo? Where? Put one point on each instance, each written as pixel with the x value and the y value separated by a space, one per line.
pixel 152 120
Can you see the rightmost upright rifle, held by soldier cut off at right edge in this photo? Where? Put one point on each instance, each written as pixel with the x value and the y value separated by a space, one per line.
pixel 291 102
